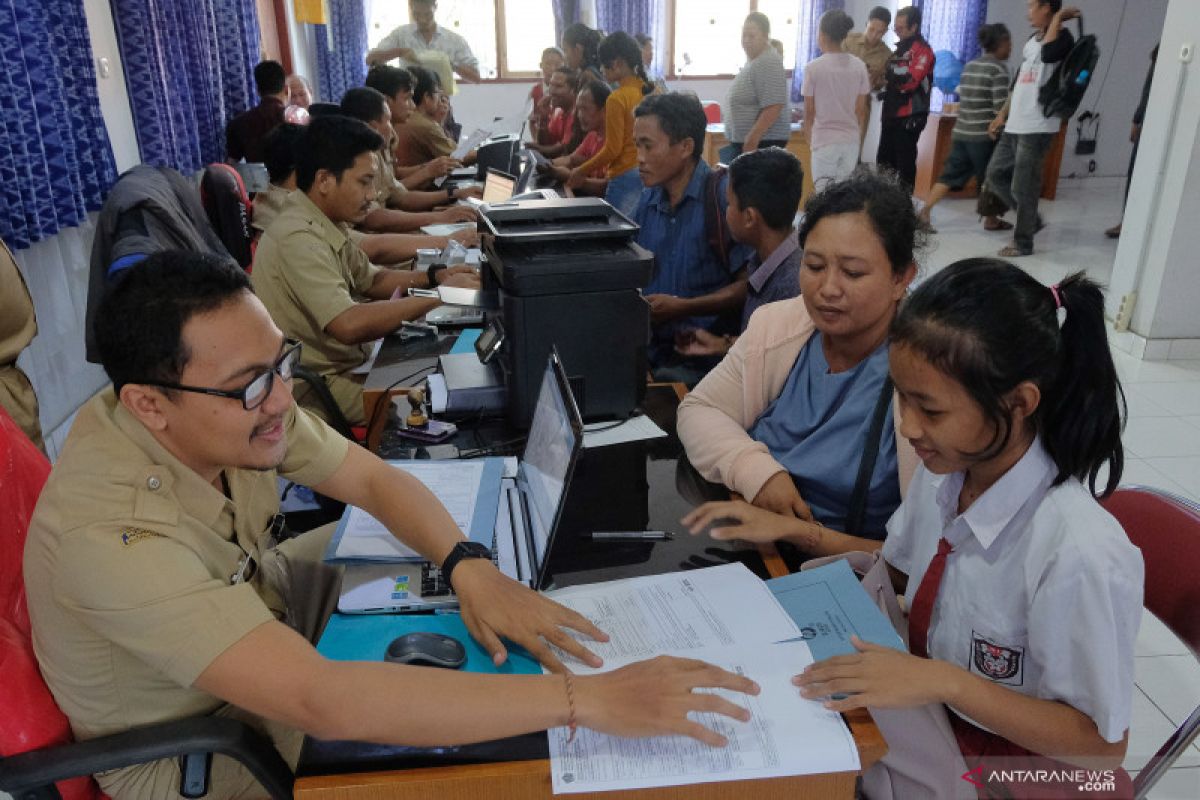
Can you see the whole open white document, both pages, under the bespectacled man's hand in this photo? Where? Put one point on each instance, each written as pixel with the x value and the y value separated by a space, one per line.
pixel 725 616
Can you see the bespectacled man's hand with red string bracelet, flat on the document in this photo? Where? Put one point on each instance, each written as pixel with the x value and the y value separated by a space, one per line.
pixel 652 699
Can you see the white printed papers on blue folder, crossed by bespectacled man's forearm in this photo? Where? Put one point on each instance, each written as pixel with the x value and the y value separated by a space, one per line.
pixel 455 483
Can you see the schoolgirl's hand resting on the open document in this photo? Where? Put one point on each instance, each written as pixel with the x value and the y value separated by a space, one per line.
pixel 878 677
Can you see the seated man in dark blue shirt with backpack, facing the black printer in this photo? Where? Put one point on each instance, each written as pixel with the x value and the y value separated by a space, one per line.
pixel 699 280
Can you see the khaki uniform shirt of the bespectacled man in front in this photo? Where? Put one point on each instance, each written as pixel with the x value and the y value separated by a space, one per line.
pixel 130 563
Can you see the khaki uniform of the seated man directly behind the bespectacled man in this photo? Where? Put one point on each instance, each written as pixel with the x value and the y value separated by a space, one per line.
pixel 307 273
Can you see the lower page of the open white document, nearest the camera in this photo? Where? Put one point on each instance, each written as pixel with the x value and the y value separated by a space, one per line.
pixel 787 735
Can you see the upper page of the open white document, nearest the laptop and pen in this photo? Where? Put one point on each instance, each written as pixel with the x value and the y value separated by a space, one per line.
pixel 677 612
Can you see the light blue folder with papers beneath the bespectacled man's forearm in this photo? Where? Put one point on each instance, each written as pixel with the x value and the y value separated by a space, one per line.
pixel 469 489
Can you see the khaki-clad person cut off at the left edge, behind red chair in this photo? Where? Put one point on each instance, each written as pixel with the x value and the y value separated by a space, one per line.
pixel 19 327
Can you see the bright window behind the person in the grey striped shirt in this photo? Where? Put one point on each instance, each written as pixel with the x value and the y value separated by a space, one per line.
pixel 709 34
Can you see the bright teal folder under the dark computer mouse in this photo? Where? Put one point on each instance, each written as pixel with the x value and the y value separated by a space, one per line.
pixel 365 637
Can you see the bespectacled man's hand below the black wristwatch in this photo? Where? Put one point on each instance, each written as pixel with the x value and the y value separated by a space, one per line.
pixel 495 606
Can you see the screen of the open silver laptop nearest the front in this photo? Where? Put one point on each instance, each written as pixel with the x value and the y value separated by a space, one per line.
pixel 549 454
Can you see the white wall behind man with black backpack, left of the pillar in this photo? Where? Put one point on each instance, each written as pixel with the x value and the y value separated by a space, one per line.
pixel 1126 32
